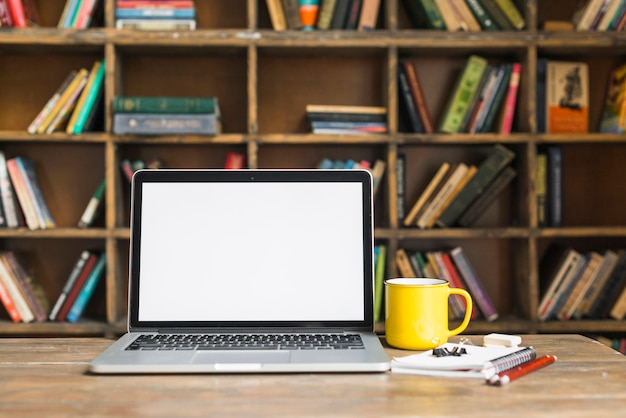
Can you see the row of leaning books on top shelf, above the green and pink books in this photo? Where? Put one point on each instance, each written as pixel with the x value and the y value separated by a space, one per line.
pixel 465 15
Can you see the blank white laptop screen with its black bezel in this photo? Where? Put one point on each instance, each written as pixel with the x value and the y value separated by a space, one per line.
pixel 223 248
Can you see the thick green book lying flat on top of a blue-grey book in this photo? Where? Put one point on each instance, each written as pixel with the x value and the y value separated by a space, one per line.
pixel 164 104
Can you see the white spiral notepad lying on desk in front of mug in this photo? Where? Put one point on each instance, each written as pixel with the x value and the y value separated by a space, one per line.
pixel 479 362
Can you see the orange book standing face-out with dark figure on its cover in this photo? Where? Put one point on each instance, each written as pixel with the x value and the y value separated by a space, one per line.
pixel 567 97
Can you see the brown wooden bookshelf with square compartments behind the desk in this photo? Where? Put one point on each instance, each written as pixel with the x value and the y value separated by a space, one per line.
pixel 264 79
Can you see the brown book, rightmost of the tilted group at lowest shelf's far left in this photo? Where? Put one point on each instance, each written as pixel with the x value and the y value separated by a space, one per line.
pixel 29 285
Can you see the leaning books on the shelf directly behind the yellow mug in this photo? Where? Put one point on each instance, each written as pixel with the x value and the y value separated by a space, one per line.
pixel 454 266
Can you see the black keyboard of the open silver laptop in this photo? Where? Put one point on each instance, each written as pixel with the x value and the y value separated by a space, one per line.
pixel 247 342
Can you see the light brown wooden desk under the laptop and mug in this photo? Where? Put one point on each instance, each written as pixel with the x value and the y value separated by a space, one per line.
pixel 48 376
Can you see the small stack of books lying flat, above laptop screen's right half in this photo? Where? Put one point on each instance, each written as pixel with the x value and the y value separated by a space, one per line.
pixel 347 120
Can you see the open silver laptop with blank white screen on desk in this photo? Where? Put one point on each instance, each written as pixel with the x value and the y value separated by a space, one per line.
pixel 249 271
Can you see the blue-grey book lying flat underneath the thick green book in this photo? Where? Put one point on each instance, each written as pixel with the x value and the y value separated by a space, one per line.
pixel 166 123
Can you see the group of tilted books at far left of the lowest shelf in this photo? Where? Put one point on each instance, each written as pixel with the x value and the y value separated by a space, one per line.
pixel 21 292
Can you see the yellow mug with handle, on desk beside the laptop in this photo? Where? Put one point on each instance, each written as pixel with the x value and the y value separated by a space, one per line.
pixel 416 312
